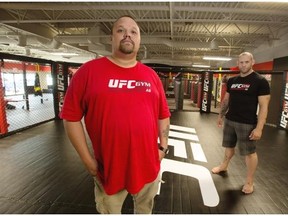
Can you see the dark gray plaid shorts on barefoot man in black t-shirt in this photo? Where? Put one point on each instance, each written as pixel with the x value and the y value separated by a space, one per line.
pixel 234 133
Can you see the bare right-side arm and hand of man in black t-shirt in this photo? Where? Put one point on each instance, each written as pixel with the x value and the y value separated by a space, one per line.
pixel 263 102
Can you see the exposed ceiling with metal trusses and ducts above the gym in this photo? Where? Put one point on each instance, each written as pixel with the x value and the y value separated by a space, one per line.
pixel 174 33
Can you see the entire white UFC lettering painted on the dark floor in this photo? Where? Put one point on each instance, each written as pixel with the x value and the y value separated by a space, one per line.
pixel 202 174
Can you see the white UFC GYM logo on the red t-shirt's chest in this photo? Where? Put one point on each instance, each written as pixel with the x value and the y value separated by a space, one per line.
pixel 130 85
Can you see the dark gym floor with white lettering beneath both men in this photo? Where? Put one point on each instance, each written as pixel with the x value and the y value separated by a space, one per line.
pixel 41 173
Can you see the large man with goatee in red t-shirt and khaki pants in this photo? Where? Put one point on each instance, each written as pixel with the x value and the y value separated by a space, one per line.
pixel 125 112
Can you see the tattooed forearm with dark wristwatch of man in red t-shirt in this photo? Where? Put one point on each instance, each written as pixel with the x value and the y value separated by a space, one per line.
pixel 164 125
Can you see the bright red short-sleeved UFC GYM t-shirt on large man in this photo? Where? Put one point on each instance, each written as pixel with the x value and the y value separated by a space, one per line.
pixel 121 107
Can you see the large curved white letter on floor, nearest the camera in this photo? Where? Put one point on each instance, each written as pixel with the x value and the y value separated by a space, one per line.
pixel 202 174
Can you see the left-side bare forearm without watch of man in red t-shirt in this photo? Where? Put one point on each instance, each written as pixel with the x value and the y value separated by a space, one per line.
pixel 76 135
